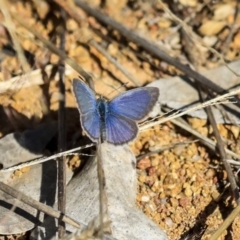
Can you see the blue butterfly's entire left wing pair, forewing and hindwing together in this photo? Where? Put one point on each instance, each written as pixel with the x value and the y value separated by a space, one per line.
pixel 87 106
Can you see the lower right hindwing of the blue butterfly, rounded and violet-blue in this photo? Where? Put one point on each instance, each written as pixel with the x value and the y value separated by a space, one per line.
pixel 119 129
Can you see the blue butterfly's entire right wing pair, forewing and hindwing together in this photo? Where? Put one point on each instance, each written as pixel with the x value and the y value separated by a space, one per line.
pixel 127 108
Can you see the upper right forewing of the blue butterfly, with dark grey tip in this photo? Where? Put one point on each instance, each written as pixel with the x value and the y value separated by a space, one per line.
pixel 134 104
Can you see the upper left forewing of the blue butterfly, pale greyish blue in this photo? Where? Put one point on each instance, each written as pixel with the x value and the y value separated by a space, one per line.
pixel 84 96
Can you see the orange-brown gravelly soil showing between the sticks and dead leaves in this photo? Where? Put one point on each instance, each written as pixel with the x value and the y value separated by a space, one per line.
pixel 182 189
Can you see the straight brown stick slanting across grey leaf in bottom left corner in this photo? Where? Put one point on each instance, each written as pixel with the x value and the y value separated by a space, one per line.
pixel 37 205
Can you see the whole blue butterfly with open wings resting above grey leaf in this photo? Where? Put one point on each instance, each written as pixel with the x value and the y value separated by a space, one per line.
pixel 114 120
